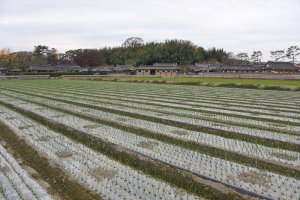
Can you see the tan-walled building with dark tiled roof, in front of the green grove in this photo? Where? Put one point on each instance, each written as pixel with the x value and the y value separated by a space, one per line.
pixel 158 69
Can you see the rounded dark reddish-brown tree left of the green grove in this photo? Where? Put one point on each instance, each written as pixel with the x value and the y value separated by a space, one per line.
pixel 89 58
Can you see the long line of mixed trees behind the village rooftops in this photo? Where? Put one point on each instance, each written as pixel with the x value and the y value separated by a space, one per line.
pixel 135 52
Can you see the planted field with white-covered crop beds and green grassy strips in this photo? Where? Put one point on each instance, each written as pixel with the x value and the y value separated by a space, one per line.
pixel 118 140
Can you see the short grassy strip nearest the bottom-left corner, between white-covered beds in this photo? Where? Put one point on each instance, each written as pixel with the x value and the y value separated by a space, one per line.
pixel 59 181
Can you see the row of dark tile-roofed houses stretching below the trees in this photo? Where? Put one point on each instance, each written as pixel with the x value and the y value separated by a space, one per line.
pixel 169 69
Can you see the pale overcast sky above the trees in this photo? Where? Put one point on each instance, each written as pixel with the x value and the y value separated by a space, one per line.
pixel 235 25
